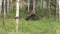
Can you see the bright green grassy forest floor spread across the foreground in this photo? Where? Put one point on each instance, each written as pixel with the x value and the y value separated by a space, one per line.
pixel 42 26
